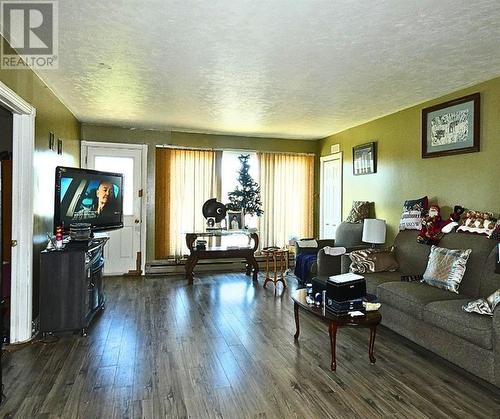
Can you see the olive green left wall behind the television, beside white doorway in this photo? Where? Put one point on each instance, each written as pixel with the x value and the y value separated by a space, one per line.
pixel 51 116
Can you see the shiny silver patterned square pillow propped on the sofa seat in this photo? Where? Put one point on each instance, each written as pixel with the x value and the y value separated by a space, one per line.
pixel 446 268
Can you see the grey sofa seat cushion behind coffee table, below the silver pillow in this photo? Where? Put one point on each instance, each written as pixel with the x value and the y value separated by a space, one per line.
pixel 412 297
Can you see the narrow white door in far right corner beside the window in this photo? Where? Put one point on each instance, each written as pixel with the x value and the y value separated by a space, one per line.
pixel 330 195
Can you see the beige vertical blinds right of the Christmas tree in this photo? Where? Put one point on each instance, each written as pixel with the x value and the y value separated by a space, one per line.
pixel 287 182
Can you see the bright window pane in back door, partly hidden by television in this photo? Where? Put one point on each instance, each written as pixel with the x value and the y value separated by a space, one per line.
pixel 123 165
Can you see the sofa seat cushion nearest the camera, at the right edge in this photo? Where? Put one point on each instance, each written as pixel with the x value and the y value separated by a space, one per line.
pixel 448 315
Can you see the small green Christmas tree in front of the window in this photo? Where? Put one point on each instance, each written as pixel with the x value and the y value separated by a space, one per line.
pixel 246 196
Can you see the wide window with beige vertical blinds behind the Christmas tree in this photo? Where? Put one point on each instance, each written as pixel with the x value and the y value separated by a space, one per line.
pixel 185 179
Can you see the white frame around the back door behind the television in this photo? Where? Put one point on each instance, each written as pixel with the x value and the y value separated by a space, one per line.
pixel 144 148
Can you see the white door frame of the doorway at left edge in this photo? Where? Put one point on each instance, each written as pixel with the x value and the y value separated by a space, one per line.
pixel 23 147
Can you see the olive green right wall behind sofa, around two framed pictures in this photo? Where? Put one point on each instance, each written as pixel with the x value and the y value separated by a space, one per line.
pixel 467 179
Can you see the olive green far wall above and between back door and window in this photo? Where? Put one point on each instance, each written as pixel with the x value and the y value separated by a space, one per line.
pixel 153 138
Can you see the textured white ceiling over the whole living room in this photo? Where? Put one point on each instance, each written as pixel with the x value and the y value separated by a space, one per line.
pixel 291 69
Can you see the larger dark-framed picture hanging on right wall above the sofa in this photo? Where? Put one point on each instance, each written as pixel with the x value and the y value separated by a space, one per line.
pixel 452 127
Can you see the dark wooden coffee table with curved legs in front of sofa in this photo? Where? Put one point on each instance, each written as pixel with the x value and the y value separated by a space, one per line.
pixel 370 319
